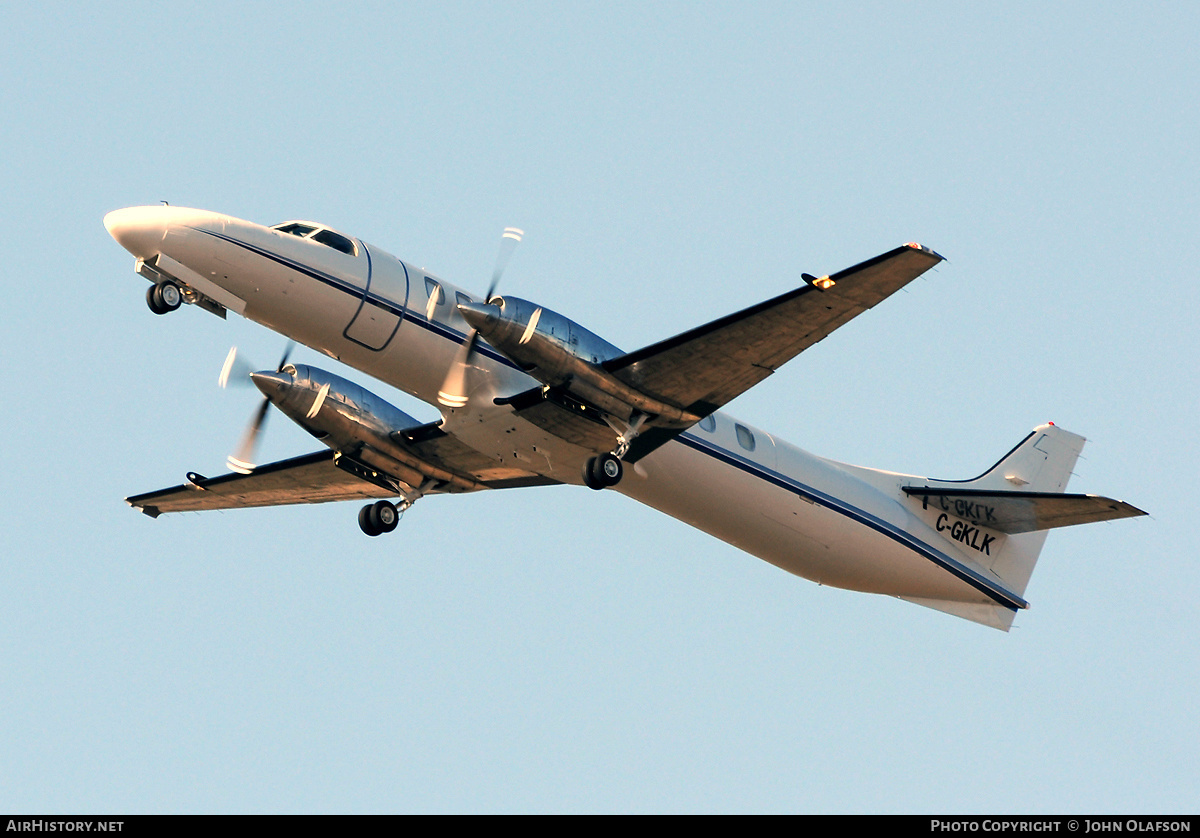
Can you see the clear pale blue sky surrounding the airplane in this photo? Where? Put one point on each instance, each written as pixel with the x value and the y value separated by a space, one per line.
pixel 563 650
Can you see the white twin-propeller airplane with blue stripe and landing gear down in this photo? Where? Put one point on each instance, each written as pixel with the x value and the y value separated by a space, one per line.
pixel 530 398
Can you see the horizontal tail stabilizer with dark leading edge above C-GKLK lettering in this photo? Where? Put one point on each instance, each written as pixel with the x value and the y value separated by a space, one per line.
pixel 1023 512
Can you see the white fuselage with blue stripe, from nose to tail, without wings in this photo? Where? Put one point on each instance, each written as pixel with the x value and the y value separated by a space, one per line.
pixel 837 525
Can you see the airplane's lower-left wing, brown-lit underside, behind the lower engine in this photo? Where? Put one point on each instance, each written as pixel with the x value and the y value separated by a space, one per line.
pixel 439 464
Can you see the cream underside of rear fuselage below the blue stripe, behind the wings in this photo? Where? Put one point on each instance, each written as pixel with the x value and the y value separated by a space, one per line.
pixel 778 525
